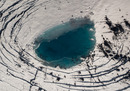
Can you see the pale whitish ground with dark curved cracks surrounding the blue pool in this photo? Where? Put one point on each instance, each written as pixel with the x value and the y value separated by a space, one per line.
pixel 106 69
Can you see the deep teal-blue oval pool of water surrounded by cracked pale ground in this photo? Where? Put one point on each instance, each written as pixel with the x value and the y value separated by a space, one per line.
pixel 64 45
